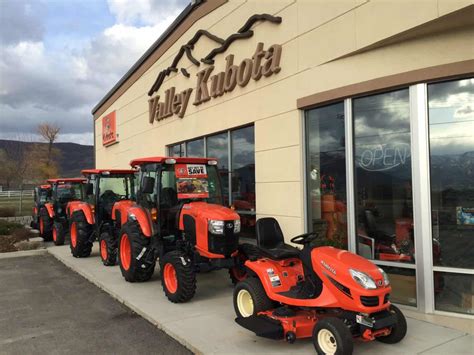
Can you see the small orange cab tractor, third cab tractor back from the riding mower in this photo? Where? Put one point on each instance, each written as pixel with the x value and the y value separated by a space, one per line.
pixel 53 219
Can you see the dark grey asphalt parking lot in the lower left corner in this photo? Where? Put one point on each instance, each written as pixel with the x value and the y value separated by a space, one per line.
pixel 45 308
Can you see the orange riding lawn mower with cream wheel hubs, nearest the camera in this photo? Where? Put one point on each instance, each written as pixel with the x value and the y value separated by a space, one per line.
pixel 323 293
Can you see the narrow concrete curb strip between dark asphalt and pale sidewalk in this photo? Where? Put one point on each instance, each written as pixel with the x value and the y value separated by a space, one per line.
pixel 136 310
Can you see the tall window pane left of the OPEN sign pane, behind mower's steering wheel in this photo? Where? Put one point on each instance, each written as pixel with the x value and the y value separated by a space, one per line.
pixel 326 168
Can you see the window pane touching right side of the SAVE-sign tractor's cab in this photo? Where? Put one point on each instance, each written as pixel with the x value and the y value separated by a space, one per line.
pixel 218 147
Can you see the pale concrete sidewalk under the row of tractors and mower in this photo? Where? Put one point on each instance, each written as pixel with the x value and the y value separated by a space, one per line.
pixel 206 324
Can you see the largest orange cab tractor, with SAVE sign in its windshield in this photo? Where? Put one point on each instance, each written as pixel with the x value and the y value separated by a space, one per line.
pixel 180 219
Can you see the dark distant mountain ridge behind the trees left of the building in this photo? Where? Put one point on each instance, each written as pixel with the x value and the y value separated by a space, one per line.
pixel 73 157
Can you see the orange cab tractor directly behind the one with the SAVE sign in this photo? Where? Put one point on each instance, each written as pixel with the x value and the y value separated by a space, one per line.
pixel 107 190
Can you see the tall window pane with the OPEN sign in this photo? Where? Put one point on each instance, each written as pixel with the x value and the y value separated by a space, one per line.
pixel 384 204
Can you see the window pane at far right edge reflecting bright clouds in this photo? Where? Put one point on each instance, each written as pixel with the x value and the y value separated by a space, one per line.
pixel 451 119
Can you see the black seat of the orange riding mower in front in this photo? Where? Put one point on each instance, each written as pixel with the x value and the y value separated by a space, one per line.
pixel 270 240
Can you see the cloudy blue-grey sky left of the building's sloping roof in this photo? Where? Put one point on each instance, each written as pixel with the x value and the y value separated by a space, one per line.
pixel 58 58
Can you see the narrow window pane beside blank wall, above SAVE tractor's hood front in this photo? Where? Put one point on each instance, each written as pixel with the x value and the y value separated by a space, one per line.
pixel 243 177
